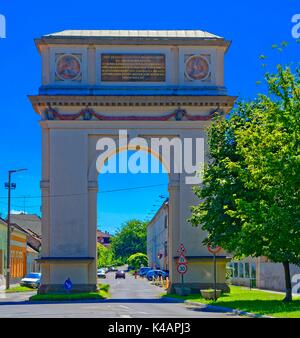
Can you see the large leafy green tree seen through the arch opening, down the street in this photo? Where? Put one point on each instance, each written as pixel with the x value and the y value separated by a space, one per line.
pixel 130 239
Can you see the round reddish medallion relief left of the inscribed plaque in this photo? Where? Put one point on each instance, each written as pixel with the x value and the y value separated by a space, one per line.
pixel 68 67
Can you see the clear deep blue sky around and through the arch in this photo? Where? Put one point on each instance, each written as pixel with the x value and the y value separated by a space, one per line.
pixel 253 26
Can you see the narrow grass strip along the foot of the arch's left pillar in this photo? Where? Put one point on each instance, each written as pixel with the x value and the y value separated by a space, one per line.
pixel 103 293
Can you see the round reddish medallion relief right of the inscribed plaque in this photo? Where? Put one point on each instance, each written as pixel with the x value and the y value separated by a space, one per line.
pixel 197 68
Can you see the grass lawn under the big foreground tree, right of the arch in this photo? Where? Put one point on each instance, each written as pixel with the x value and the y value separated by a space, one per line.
pixel 254 301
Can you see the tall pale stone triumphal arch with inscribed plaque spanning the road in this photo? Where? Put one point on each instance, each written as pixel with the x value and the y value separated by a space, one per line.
pixel 138 84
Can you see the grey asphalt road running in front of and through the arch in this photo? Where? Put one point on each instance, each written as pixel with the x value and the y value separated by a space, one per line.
pixel 130 298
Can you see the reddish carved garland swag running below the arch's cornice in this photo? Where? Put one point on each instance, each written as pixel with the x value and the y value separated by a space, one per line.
pixel 88 114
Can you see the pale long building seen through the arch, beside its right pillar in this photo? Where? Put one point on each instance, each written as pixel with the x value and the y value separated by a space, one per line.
pixel 157 238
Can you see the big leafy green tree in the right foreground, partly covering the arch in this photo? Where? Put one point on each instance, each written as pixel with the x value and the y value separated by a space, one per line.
pixel 250 193
